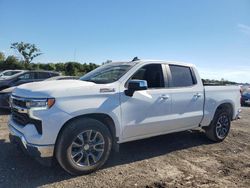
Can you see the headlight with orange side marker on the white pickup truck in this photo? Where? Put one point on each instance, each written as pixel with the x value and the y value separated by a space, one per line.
pixel 40 104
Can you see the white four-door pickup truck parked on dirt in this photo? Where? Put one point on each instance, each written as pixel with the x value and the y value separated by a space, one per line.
pixel 79 122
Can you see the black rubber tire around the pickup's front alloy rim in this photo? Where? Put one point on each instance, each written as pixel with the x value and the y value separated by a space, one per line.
pixel 70 133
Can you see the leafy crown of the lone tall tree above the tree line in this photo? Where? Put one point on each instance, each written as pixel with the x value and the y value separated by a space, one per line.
pixel 27 50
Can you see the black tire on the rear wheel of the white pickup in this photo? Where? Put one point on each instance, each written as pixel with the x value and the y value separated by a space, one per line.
pixel 212 131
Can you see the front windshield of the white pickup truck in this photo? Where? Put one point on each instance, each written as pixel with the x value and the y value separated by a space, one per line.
pixel 107 73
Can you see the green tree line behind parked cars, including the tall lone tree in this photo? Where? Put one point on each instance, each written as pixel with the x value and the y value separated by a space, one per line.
pixel 30 51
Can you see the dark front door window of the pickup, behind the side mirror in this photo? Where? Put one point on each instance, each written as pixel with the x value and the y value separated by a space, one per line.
pixel 152 74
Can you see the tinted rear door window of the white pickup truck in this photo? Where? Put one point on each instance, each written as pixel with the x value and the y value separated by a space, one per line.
pixel 181 76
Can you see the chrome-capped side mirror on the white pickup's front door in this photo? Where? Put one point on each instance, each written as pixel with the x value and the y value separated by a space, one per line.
pixel 136 85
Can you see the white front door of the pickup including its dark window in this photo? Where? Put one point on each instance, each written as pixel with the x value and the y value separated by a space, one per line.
pixel 146 112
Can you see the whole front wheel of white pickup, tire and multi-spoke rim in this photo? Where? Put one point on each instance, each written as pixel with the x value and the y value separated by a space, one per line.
pixel 83 146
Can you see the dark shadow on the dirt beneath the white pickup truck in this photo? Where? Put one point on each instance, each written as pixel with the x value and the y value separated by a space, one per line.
pixel 19 170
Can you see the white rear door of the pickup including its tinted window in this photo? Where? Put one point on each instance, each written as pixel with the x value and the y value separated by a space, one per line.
pixel 187 97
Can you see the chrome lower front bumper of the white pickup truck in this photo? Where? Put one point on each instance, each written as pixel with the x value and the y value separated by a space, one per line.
pixel 42 153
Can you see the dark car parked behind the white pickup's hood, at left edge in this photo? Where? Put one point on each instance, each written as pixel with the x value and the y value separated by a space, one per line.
pixel 7 84
